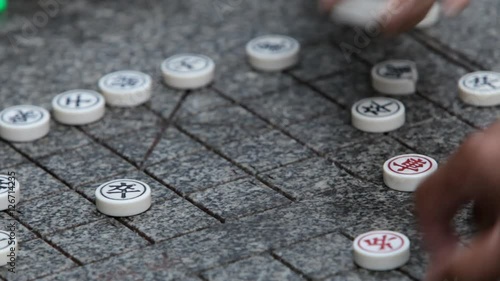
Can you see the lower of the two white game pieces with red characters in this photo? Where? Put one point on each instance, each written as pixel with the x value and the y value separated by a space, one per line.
pixel 381 250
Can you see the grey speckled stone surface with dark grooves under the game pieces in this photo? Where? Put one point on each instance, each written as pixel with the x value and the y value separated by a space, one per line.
pixel 257 177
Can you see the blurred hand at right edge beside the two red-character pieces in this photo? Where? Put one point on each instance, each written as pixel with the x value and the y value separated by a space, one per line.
pixel 471 174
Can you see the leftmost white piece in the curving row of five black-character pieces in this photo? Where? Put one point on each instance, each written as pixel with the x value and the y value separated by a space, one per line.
pixel 23 123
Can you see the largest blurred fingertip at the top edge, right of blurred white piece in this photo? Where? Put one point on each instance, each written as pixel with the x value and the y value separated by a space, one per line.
pixel 403 15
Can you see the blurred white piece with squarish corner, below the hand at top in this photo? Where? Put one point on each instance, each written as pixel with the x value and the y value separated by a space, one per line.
pixel 395 77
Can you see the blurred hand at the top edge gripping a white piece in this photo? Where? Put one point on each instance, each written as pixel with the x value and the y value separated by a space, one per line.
pixel 405 14
